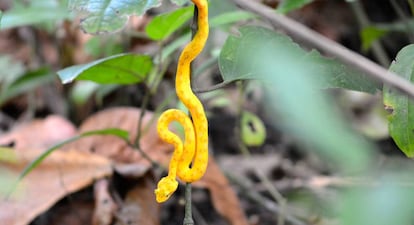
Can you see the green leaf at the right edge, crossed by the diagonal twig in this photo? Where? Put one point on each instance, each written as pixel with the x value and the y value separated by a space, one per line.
pixel 399 106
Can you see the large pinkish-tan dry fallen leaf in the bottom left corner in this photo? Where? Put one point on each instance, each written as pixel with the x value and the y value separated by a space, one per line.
pixel 61 173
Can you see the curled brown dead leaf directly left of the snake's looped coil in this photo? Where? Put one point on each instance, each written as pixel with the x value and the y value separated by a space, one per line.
pixel 116 149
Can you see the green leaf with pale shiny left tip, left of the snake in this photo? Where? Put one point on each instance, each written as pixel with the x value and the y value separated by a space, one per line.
pixel 117 69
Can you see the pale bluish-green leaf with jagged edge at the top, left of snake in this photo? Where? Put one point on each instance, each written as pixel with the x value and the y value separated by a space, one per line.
pixel 109 15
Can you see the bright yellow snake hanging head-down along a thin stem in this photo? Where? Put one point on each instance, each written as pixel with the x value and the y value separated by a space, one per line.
pixel 189 160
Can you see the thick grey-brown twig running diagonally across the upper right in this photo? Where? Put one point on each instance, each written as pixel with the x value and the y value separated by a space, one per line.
pixel 311 38
